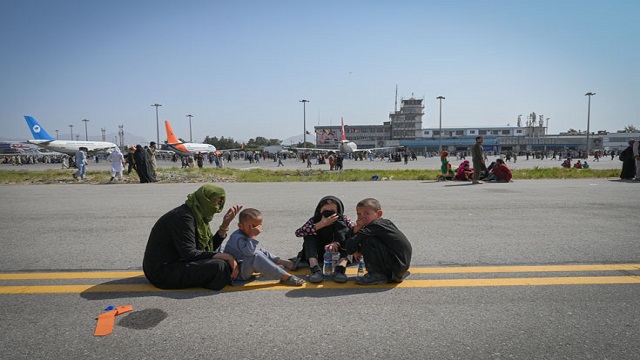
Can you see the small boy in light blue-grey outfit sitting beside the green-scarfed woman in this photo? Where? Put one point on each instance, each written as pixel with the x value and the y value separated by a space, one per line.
pixel 243 246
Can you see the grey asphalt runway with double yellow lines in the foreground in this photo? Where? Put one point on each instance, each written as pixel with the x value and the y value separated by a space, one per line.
pixel 530 269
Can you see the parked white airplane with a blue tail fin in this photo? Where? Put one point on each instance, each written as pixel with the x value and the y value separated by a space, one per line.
pixel 70 147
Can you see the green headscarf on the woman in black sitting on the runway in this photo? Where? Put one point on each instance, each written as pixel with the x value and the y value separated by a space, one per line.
pixel 201 203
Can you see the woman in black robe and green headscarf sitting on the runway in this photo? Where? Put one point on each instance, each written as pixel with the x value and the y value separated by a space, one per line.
pixel 181 252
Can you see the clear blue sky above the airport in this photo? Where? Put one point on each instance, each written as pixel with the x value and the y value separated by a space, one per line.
pixel 241 67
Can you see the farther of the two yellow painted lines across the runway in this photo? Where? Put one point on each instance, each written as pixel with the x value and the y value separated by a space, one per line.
pixel 350 271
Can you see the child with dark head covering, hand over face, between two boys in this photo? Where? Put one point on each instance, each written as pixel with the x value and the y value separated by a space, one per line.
pixel 328 226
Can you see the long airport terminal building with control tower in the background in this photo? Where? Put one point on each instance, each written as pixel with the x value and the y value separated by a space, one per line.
pixel 404 128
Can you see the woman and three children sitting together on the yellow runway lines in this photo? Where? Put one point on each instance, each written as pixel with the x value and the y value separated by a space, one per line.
pixel 182 252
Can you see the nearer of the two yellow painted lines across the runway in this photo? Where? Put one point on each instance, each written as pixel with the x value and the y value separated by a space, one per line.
pixel 263 285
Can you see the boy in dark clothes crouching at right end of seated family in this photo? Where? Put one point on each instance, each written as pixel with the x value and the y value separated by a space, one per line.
pixel 386 250
